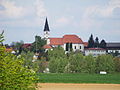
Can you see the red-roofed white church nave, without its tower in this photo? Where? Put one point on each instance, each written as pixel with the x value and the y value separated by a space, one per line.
pixel 74 40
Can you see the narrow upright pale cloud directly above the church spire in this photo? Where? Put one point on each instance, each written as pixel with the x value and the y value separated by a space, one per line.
pixel 40 9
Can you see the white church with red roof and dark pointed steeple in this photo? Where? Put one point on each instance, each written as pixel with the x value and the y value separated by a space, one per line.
pixel 68 42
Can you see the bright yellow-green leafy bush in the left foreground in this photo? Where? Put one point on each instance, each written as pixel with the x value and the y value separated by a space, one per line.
pixel 13 74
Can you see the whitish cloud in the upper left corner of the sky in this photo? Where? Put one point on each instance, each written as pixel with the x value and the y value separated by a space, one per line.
pixel 10 10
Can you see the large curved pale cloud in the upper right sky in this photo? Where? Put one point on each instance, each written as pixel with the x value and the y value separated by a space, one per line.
pixel 89 17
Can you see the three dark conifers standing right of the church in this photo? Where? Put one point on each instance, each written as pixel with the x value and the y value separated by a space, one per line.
pixel 95 43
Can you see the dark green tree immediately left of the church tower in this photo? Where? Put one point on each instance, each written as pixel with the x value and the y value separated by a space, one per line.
pixel 38 44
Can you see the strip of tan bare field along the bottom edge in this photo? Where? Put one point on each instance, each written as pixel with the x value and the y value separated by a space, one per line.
pixel 63 86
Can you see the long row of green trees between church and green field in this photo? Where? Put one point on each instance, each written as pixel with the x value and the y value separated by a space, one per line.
pixel 59 62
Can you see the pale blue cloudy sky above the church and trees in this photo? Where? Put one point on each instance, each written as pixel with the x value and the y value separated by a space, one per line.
pixel 23 19
